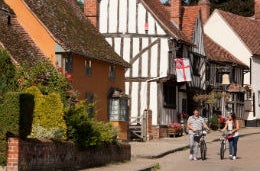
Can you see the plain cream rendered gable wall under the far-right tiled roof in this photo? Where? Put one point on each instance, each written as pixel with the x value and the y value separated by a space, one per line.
pixel 219 31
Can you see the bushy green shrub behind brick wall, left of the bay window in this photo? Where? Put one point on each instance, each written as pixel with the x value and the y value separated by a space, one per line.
pixel 85 131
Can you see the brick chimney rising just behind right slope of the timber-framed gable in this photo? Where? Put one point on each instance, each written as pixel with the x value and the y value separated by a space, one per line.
pixel 174 9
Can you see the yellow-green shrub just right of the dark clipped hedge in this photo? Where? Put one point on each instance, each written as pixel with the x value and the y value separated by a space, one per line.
pixel 48 120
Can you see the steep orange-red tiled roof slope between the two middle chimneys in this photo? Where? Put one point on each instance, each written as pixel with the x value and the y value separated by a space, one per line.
pixel 189 17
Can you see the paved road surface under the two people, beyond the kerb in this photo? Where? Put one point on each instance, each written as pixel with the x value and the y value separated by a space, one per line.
pixel 248 158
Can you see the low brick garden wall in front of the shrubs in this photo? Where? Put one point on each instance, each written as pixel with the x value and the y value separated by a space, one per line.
pixel 34 154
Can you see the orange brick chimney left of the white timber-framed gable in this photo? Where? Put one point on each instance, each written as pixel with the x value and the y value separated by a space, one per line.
pixel 91 10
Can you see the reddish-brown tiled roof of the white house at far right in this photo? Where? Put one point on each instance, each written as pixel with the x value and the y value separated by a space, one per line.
pixel 248 30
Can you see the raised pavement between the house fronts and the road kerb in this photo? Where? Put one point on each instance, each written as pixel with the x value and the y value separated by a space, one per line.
pixel 144 154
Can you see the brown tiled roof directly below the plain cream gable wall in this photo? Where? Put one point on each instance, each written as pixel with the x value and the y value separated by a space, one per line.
pixel 216 53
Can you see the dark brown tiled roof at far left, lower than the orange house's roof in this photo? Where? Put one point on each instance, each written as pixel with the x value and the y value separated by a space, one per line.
pixel 18 43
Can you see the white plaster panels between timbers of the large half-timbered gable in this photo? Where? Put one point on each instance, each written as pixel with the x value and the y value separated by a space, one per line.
pixel 121 25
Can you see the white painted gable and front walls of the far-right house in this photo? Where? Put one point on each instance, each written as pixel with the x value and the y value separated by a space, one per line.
pixel 218 30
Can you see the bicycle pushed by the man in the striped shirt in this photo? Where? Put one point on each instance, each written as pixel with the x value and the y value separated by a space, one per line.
pixel 199 137
